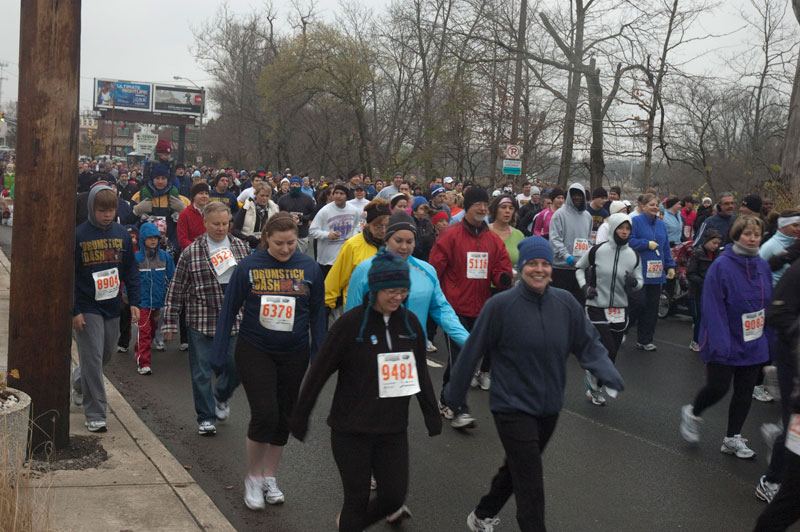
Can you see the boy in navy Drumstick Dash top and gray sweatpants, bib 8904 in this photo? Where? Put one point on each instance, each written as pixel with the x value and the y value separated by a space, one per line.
pixel 104 260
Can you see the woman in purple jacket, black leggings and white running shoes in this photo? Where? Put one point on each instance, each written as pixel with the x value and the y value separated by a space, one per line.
pixel 737 290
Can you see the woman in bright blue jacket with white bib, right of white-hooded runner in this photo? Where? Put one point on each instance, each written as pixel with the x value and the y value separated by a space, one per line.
pixel 649 239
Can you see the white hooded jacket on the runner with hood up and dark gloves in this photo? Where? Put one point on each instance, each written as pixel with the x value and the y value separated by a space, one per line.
pixel 612 261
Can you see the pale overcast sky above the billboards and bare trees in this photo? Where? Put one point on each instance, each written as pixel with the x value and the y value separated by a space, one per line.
pixel 151 40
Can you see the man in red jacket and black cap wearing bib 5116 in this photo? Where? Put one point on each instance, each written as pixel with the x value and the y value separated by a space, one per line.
pixel 468 259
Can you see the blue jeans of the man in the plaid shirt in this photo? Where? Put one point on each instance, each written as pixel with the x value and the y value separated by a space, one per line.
pixel 200 367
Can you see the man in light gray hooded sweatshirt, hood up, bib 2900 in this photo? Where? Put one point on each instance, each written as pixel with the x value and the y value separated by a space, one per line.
pixel 570 234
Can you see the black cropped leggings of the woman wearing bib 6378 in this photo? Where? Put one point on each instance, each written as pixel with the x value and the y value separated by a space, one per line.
pixel 271 383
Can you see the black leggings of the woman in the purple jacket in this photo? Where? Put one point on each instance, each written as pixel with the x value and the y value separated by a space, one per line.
pixel 718 380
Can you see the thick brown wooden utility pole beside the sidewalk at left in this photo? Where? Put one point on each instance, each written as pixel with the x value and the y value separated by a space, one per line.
pixel 42 256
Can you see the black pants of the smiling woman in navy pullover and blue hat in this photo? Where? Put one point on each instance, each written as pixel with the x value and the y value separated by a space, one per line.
pixel 524 438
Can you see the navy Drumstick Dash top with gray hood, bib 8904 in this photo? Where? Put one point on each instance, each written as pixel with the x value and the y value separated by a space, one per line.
pixel 103 258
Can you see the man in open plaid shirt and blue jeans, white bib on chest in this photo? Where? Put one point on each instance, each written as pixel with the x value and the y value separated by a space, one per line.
pixel 202 273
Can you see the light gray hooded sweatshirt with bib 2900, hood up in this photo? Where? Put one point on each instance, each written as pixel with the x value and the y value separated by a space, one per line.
pixel 570 231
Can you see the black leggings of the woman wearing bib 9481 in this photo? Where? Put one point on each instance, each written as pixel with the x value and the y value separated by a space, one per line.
pixel 357 457
